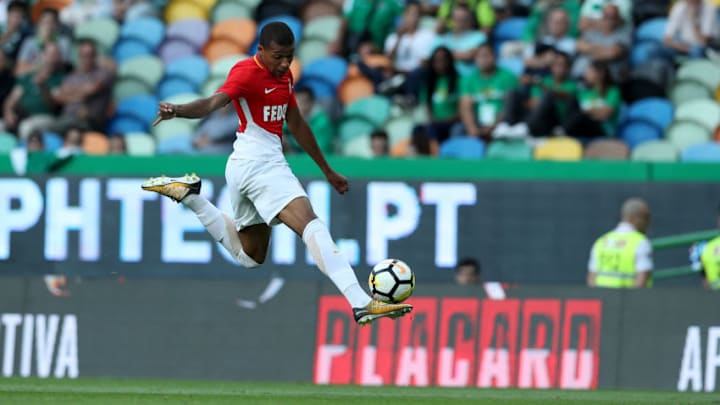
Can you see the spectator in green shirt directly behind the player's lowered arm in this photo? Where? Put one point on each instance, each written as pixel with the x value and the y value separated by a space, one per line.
pixel 318 120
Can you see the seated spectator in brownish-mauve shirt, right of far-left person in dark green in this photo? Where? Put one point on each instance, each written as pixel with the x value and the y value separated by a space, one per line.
pixel 85 93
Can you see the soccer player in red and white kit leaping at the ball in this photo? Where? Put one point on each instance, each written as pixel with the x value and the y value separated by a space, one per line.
pixel 263 189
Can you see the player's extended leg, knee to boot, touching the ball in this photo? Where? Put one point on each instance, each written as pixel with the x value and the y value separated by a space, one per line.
pixel 299 216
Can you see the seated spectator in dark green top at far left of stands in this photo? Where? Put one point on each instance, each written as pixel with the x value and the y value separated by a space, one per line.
pixel 30 103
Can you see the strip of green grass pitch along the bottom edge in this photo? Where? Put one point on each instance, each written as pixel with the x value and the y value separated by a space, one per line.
pixel 120 391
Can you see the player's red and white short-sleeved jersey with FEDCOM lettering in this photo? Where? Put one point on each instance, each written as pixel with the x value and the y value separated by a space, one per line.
pixel 261 101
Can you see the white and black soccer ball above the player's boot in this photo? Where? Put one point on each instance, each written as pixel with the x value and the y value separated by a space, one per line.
pixel 392 281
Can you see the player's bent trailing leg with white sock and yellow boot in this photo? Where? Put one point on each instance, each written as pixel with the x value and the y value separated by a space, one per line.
pixel 249 246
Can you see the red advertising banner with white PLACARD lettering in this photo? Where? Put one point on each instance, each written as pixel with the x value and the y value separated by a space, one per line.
pixel 455 342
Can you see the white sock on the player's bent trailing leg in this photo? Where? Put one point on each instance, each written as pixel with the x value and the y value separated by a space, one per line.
pixel 220 226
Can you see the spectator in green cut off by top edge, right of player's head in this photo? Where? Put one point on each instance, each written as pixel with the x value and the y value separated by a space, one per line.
pixel 365 22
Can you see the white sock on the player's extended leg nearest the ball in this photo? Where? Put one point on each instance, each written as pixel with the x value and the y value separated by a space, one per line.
pixel 333 263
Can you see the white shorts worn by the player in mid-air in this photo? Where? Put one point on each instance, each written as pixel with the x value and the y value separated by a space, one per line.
pixel 259 190
